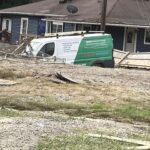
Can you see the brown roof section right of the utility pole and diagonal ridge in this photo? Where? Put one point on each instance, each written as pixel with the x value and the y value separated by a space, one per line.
pixel 130 12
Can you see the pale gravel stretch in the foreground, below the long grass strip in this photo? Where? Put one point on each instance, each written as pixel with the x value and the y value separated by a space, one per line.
pixel 24 133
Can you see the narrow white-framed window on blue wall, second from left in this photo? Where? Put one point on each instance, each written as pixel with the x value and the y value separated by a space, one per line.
pixel 24 26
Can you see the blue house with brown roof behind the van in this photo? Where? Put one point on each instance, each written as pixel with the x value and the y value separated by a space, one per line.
pixel 127 20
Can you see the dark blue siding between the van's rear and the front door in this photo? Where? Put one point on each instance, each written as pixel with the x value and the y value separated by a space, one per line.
pixel 118 36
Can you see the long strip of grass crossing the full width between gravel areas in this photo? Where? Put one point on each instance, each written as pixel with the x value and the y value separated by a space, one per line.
pixel 126 113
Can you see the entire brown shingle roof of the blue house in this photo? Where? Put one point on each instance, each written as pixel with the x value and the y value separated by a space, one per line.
pixel 124 12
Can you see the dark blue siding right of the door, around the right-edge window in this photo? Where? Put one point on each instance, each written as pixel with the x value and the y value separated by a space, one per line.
pixel 141 47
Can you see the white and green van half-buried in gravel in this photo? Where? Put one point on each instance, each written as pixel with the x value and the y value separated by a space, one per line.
pixel 88 49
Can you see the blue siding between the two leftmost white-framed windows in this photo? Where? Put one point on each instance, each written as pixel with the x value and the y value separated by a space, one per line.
pixel 15 31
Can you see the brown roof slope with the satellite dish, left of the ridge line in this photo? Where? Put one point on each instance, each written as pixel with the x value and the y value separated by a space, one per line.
pixel 87 11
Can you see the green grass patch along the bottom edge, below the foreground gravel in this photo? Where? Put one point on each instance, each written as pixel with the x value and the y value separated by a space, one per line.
pixel 81 143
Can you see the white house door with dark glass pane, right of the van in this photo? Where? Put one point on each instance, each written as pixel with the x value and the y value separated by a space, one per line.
pixel 130 40
